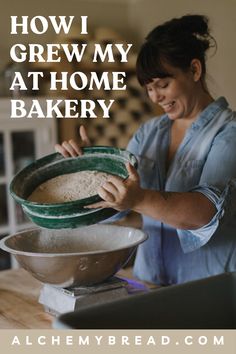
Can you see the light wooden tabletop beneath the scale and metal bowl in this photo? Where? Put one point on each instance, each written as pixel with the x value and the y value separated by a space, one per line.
pixel 19 307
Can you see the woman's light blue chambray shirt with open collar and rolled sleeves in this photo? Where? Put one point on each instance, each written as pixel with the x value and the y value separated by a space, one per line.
pixel 205 162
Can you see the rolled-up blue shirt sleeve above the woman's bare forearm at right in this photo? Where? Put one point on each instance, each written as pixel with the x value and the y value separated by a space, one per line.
pixel 218 184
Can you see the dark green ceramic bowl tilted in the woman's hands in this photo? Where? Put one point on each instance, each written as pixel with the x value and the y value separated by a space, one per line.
pixel 69 214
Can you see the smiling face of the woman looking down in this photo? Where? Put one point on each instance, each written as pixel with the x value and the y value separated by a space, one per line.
pixel 177 94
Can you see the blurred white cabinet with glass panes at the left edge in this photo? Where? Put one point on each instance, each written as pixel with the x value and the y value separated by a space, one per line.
pixel 22 140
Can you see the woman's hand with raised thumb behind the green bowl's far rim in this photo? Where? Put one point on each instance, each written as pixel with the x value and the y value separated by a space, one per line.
pixel 71 148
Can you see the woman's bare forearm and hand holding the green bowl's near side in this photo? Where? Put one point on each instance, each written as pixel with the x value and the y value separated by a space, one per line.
pixel 190 210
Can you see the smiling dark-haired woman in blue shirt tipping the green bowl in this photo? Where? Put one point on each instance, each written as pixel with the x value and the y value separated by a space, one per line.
pixel 185 185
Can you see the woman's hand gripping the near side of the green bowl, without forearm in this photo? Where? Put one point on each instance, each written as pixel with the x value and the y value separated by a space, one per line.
pixel 120 194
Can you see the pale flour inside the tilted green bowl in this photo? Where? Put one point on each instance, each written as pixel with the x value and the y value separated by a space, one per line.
pixel 69 187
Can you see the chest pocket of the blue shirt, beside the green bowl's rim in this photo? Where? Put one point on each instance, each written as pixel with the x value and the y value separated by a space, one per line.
pixel 147 170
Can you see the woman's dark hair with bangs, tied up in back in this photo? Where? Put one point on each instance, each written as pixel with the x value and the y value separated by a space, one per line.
pixel 176 42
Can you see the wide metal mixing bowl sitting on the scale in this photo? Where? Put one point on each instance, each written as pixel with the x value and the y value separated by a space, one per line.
pixel 84 256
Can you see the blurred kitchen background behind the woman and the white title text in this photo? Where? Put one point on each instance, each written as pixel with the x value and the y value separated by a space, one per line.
pixel 109 21
